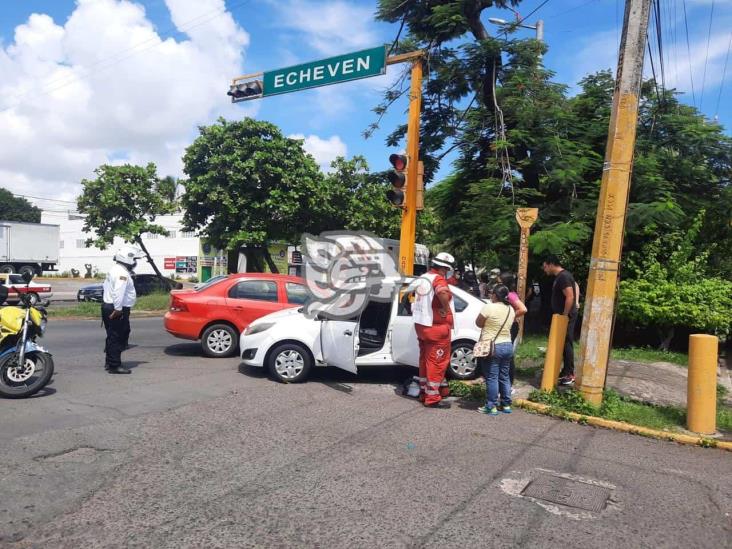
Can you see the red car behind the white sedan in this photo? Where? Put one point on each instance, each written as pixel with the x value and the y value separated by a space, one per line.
pixel 218 312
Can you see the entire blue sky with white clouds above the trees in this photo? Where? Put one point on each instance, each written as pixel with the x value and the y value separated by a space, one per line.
pixel 92 81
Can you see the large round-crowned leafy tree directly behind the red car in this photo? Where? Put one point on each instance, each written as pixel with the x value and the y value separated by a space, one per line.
pixel 249 184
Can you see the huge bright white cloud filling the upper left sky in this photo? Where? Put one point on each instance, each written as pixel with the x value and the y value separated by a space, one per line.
pixel 105 85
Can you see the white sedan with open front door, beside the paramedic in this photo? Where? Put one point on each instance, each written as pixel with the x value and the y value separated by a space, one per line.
pixel 290 344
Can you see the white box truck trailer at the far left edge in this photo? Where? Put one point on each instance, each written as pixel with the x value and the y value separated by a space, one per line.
pixel 28 247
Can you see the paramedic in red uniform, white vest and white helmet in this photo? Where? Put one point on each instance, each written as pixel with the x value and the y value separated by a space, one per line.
pixel 433 319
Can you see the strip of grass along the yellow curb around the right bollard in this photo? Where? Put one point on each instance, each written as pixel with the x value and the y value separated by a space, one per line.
pixel 619 408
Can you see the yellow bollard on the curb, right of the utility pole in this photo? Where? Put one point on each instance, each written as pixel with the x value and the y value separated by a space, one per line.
pixel 701 393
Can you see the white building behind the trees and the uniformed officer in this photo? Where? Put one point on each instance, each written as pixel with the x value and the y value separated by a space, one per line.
pixel 178 253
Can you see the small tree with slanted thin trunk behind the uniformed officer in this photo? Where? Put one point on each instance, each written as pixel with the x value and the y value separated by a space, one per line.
pixel 124 201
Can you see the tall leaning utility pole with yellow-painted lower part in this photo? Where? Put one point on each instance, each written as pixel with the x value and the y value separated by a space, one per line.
pixel 612 206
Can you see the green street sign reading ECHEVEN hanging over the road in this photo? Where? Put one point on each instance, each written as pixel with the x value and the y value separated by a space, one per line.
pixel 342 68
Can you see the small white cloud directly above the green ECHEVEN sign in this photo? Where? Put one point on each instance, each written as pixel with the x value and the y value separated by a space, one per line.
pixel 330 27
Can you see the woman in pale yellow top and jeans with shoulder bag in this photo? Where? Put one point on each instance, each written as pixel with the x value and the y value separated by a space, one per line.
pixel 495 319
